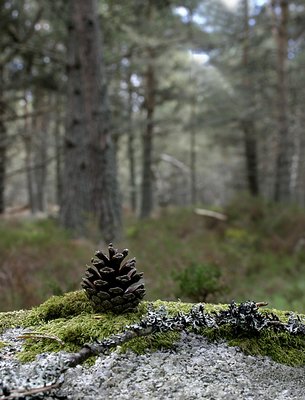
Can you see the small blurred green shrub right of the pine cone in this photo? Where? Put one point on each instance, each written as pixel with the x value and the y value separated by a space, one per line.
pixel 199 281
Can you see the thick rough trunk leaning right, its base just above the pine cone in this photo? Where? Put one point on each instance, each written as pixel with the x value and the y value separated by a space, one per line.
pixel 104 194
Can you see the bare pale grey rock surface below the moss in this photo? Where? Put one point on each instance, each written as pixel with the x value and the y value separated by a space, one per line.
pixel 193 369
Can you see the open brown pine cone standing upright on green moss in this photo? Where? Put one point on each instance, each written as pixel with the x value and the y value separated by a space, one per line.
pixel 112 286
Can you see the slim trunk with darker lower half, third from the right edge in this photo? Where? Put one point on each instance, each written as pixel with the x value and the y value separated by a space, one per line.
pixel 247 123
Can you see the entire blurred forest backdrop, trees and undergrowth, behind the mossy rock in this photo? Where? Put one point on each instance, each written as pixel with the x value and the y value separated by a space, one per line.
pixel 180 105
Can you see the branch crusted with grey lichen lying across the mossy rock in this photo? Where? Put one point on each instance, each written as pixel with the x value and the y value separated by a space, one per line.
pixel 242 318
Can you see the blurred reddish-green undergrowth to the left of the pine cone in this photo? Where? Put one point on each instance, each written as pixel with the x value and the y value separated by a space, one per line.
pixel 38 259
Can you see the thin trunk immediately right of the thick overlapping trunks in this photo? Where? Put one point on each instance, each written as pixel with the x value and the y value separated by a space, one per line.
pixel 131 149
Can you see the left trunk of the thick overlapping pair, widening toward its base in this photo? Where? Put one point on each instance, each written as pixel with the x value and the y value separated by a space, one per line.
pixel 75 206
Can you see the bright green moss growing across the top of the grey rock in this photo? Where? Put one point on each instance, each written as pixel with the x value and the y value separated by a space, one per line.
pixel 71 319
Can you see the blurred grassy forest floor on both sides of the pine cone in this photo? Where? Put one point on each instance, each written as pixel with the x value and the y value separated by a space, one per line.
pixel 259 253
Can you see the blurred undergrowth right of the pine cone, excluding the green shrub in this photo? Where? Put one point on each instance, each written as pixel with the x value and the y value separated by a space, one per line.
pixel 259 250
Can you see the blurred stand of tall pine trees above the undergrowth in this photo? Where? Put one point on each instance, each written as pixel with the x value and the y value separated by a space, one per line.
pixel 147 104
